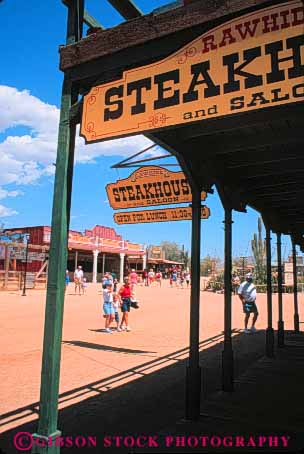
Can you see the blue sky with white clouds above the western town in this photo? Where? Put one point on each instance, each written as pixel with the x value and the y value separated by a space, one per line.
pixel 30 88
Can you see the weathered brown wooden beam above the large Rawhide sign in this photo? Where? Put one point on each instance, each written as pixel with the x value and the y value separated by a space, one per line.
pixel 150 27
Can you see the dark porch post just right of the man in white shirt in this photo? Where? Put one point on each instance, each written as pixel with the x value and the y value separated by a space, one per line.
pixel 269 330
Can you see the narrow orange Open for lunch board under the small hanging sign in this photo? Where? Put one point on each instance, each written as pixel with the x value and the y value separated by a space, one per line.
pixel 165 215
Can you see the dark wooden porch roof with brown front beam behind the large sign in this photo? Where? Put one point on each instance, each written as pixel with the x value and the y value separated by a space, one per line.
pixel 254 158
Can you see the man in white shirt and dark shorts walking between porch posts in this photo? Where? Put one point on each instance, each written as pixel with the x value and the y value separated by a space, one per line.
pixel 247 294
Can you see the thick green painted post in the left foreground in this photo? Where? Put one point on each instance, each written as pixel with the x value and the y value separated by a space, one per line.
pixel 47 428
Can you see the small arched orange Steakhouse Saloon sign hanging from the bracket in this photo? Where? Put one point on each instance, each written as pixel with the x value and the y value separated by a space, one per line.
pixel 150 186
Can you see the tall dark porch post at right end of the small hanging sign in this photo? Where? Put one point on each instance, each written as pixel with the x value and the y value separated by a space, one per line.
pixel 193 377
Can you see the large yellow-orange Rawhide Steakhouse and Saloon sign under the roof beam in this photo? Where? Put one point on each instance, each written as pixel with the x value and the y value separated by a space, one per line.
pixel 251 62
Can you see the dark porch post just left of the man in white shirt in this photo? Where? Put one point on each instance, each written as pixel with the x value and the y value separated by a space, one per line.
pixel 227 354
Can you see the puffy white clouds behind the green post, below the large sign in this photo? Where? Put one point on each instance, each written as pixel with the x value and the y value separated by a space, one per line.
pixel 26 158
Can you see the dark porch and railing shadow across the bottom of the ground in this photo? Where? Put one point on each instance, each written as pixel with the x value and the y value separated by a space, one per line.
pixel 149 400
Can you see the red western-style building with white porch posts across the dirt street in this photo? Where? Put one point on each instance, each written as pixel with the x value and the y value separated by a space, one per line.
pixel 97 250
